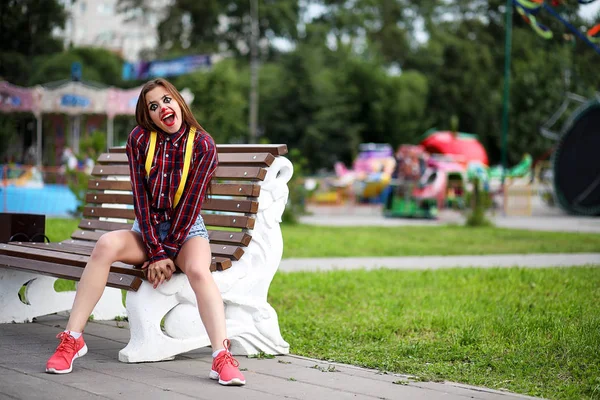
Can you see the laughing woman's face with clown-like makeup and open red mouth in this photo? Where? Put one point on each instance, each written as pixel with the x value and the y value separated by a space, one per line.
pixel 164 109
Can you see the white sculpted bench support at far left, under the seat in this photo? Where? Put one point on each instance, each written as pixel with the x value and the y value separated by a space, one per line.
pixel 39 298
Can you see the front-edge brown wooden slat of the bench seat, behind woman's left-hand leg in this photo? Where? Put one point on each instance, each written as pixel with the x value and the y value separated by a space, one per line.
pixel 119 281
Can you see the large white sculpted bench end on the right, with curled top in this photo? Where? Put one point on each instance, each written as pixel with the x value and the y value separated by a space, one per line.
pixel 252 323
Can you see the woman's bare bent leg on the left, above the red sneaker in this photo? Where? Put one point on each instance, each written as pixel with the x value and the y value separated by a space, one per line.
pixel 121 245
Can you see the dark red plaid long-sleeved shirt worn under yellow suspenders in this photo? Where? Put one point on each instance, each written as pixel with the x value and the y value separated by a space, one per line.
pixel 154 194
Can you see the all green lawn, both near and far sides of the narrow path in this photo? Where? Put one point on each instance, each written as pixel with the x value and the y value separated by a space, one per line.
pixel 530 331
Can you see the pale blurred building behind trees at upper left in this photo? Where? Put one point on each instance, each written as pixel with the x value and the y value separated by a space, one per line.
pixel 98 23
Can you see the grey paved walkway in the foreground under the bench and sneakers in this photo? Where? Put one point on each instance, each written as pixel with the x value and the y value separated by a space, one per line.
pixel 24 349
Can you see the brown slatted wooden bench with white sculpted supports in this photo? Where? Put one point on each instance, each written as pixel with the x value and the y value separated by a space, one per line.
pixel 242 213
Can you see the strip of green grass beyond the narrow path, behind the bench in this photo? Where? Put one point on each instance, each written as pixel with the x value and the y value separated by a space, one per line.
pixel 318 241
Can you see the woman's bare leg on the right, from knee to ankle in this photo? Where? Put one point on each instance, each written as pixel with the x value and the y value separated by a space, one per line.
pixel 194 260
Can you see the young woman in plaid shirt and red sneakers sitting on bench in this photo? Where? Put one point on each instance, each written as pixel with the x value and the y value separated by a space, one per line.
pixel 168 230
